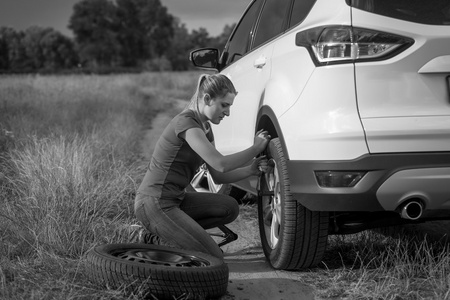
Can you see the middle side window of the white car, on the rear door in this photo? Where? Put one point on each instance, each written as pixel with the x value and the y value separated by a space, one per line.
pixel 272 21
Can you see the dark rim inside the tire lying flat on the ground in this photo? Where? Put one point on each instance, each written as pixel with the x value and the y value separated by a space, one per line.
pixel 161 257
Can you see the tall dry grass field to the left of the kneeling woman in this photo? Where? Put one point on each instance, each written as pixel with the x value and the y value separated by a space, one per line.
pixel 69 168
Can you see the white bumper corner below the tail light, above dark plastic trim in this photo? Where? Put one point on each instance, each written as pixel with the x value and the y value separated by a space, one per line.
pixel 325 127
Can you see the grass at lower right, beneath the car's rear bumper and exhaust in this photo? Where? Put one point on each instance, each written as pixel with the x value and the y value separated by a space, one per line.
pixel 370 265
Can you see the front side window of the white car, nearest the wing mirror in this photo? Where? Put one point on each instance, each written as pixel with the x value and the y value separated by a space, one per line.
pixel 239 42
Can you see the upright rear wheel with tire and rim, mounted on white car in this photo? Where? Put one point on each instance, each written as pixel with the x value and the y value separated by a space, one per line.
pixel 292 236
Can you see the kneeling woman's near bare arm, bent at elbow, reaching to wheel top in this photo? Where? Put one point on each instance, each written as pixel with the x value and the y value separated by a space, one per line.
pixel 197 140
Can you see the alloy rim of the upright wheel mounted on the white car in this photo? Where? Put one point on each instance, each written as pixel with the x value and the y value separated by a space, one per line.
pixel 273 206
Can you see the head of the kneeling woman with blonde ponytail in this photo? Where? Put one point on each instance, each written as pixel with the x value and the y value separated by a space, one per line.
pixel 213 98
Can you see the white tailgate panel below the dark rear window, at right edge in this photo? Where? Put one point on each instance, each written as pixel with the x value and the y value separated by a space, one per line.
pixel 404 101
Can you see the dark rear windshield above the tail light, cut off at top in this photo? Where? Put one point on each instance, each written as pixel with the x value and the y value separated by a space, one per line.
pixel 431 12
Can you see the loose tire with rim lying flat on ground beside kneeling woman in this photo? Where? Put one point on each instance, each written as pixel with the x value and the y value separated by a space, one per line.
pixel 162 272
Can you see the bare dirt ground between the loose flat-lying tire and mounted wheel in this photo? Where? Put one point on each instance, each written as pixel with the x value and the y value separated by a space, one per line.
pixel 251 276
